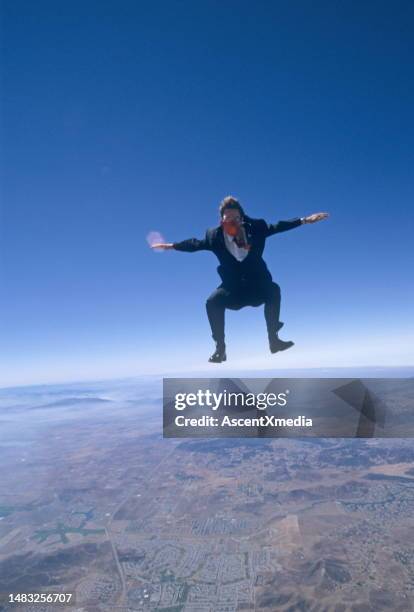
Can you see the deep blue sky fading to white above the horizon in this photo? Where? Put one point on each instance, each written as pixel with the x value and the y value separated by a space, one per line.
pixel 124 117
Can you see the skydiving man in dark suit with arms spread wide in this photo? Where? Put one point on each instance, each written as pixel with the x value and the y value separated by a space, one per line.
pixel 238 242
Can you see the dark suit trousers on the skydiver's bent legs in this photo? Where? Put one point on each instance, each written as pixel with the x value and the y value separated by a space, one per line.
pixel 223 298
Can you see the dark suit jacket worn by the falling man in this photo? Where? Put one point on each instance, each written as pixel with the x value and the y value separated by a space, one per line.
pixel 251 273
